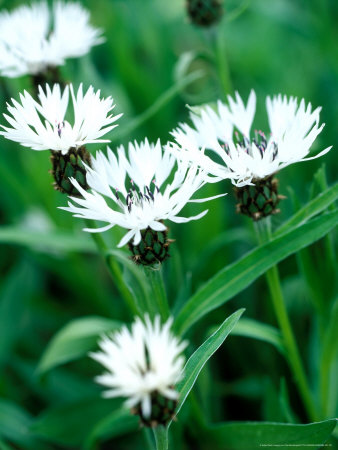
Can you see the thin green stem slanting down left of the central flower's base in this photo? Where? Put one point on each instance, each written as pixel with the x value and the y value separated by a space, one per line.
pixel 114 270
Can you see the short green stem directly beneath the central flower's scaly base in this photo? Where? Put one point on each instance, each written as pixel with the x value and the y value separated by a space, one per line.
pixel 157 291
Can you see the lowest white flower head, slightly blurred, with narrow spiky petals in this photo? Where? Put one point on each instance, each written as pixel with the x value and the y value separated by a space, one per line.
pixel 140 362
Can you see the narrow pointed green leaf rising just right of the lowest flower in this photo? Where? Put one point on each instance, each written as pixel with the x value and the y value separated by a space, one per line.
pixel 199 358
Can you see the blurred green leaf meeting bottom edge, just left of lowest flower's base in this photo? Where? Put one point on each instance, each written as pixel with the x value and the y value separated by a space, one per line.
pixel 117 423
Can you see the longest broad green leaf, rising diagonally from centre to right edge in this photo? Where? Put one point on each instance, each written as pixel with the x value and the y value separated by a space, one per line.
pixel 236 277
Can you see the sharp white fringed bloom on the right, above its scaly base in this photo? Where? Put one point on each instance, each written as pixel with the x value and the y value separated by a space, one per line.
pixel 240 156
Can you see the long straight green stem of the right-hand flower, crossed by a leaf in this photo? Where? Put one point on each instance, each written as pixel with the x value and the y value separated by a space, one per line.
pixel 293 356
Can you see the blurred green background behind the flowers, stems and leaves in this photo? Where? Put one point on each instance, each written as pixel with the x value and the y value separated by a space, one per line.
pixel 282 46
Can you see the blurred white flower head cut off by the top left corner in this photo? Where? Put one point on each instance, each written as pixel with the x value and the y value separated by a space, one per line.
pixel 29 45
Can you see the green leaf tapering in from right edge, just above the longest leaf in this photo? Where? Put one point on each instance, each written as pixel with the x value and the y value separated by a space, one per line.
pixel 316 206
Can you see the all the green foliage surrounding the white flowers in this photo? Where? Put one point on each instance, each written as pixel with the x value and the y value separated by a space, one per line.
pixel 58 294
